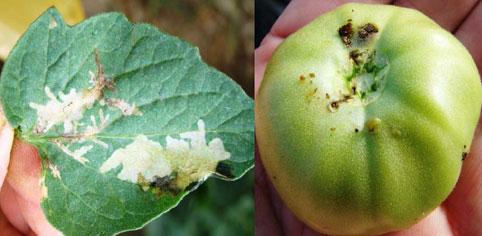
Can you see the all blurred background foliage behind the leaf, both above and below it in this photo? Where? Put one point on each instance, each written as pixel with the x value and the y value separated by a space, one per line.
pixel 224 32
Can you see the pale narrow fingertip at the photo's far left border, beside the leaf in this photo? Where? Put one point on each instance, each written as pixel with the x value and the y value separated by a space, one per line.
pixel 6 140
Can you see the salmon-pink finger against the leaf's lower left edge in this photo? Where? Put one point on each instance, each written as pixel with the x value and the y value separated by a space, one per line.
pixel 24 171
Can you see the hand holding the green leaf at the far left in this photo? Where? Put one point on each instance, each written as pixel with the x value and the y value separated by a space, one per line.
pixel 21 192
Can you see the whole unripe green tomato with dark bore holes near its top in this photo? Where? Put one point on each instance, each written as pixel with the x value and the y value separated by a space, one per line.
pixel 364 116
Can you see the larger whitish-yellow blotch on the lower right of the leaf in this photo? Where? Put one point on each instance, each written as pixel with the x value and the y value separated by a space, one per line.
pixel 190 157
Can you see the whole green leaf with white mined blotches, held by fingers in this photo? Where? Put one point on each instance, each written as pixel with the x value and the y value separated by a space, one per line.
pixel 128 120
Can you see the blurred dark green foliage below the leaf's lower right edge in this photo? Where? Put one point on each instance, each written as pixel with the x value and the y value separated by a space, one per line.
pixel 217 208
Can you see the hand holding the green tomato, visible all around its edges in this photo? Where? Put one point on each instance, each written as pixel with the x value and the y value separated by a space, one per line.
pixel 461 212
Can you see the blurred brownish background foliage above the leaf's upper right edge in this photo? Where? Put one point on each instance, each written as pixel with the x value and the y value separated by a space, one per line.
pixel 222 29
